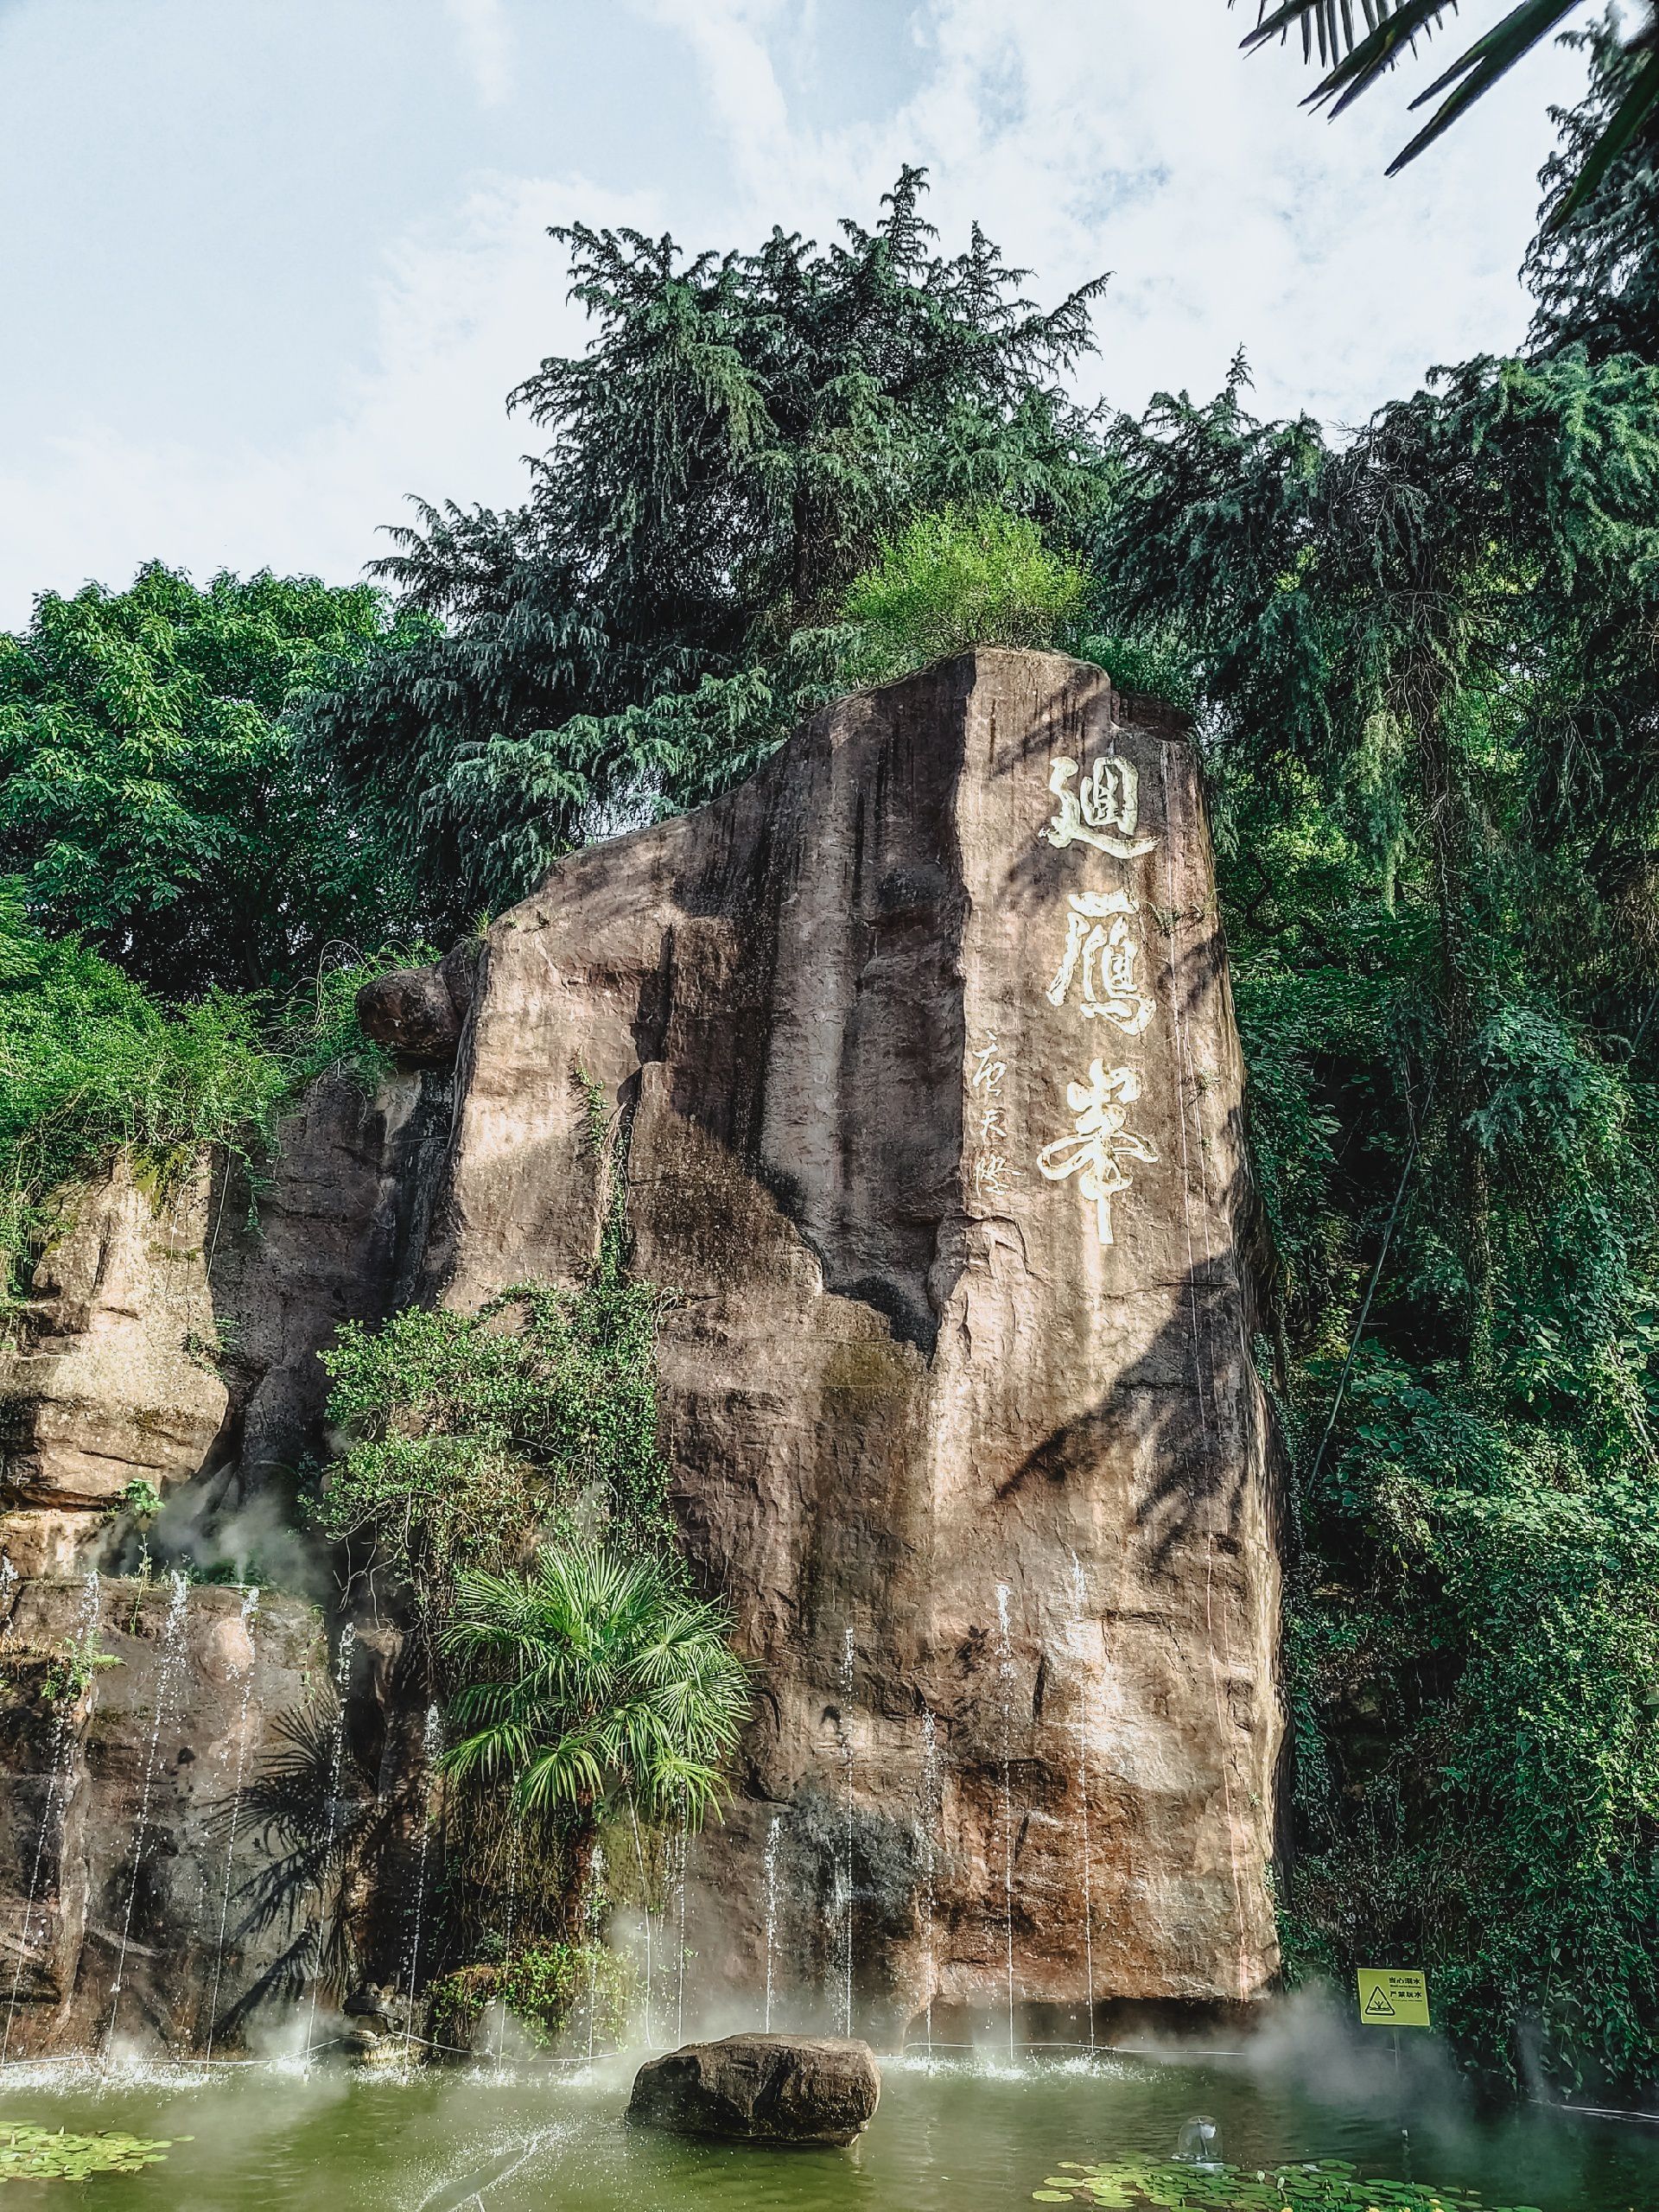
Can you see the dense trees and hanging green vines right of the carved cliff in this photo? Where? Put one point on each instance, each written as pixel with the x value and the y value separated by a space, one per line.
pixel 1428 727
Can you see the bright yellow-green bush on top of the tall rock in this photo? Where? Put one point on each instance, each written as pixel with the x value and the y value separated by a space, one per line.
pixel 952 581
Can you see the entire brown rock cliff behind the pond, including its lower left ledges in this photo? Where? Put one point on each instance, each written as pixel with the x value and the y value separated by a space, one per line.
pixel 930 1118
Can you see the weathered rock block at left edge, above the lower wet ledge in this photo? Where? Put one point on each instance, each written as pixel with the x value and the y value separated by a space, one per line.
pixel 171 1342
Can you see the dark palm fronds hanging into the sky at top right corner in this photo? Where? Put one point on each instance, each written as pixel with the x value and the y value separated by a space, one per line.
pixel 1355 56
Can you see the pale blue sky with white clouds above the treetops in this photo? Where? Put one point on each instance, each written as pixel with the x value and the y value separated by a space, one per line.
pixel 273 269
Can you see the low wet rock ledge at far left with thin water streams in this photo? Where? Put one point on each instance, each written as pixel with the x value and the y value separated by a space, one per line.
pixel 129 1718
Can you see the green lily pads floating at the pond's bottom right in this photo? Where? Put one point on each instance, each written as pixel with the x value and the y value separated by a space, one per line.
pixel 1306 2187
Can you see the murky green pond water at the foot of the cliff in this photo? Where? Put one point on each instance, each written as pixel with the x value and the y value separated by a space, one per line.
pixel 970 2138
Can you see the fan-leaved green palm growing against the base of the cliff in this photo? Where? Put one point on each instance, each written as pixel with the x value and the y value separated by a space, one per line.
pixel 596 1680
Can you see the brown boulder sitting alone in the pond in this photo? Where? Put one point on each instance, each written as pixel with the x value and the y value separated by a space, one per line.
pixel 762 2089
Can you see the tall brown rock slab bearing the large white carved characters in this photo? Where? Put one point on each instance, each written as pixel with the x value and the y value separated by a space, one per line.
pixel 932 1096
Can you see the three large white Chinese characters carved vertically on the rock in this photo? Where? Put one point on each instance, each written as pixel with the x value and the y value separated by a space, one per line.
pixel 1098 977
